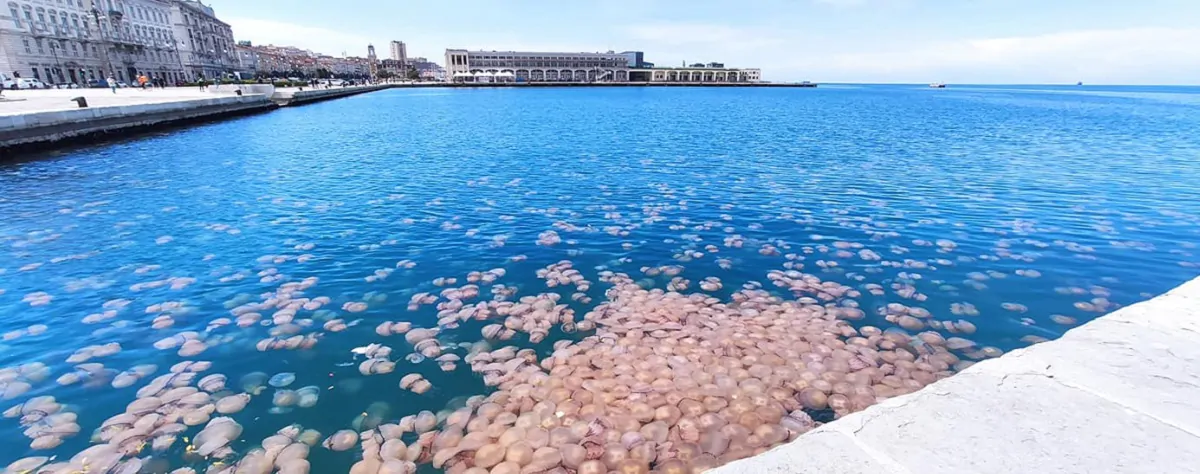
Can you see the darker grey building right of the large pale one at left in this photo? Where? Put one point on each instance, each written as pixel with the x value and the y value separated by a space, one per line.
pixel 206 44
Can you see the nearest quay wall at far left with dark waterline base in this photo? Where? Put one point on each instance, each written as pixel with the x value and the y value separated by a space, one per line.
pixel 41 130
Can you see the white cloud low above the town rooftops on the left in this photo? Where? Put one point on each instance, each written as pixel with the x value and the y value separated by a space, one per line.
pixel 317 39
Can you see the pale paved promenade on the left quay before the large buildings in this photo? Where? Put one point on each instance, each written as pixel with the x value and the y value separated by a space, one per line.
pixel 33 101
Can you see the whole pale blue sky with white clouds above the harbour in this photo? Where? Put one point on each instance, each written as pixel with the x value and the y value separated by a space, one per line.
pixel 827 41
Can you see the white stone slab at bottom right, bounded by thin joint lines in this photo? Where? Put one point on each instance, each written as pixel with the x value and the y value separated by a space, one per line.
pixel 991 422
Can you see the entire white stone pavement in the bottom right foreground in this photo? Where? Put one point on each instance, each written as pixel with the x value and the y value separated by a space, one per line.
pixel 1118 395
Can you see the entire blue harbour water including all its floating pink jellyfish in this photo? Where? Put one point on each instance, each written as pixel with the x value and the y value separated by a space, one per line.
pixel 604 280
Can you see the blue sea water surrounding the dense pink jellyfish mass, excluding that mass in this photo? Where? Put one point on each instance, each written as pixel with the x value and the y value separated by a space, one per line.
pixel 1027 203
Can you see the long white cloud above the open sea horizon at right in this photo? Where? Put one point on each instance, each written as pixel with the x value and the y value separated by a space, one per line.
pixel 1138 56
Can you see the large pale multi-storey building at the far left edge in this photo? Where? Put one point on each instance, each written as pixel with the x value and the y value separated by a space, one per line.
pixel 80 41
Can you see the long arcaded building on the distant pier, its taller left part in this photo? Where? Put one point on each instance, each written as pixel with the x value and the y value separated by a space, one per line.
pixel 532 67
